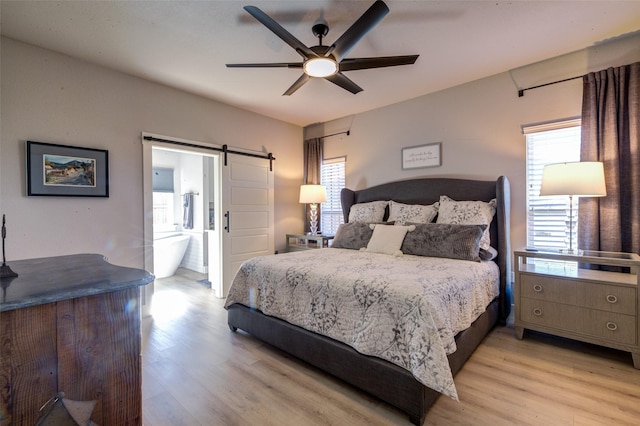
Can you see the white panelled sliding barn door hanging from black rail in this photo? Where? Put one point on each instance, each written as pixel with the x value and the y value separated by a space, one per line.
pixel 247 213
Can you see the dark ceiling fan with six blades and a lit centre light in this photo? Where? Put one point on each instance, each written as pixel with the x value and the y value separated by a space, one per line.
pixel 329 62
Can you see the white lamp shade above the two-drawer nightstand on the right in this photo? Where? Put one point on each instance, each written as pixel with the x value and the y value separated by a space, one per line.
pixel 585 179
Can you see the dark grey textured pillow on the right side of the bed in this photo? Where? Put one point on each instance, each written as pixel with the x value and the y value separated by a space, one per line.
pixel 445 240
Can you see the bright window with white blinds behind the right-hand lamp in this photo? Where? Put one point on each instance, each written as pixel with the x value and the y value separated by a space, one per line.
pixel 548 217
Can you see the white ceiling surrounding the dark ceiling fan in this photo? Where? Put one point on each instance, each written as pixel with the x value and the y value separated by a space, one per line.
pixel 186 44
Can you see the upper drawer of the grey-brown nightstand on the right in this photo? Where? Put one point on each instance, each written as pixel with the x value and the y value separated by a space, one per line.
pixel 605 297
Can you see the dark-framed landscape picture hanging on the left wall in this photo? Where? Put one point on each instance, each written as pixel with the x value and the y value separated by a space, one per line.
pixel 66 171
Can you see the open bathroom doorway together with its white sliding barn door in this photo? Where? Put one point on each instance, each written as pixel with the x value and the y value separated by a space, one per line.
pixel 220 203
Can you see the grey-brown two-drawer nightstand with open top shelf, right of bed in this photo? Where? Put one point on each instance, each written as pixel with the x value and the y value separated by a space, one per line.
pixel 554 296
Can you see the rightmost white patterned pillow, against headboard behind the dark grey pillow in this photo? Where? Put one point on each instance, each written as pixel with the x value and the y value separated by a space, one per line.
pixel 468 213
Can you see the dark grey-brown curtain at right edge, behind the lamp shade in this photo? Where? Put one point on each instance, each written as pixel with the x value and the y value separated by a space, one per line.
pixel 611 134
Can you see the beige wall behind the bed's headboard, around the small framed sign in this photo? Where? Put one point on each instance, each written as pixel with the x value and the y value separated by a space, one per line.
pixel 479 125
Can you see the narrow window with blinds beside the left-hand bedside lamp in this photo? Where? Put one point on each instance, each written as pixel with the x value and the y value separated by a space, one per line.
pixel 332 172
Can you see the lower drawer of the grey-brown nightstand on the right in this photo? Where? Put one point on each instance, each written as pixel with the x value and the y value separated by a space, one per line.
pixel 612 326
